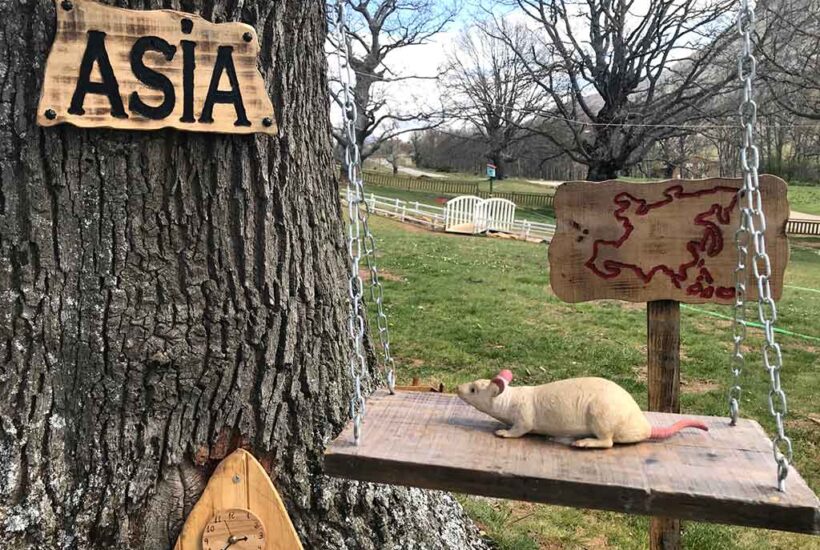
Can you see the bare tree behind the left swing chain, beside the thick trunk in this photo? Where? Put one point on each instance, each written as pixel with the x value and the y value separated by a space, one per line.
pixel 375 29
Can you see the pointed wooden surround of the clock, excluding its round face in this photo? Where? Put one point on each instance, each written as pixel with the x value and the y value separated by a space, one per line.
pixel 240 482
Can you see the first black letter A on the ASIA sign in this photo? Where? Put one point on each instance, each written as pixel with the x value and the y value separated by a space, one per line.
pixel 95 52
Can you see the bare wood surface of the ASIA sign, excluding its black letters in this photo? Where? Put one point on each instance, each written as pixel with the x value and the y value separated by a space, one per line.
pixel 123 28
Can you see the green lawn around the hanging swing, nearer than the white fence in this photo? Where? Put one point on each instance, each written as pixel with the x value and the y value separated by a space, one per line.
pixel 463 307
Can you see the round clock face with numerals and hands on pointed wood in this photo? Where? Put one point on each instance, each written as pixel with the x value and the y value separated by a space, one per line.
pixel 234 529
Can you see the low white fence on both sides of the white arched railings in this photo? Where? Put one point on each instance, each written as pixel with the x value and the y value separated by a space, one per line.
pixel 434 217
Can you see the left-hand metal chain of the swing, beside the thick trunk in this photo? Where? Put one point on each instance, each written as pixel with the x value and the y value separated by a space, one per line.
pixel 359 236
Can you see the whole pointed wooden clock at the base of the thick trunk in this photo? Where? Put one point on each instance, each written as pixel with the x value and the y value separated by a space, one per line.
pixel 240 509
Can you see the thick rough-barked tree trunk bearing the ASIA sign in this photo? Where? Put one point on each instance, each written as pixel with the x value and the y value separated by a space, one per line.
pixel 166 297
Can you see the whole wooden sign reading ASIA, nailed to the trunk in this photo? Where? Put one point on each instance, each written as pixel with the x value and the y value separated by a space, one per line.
pixel 145 70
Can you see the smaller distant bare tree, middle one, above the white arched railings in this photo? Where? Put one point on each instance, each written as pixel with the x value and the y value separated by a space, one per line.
pixel 489 88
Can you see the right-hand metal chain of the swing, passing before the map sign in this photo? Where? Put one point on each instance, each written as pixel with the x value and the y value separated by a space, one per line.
pixel 752 232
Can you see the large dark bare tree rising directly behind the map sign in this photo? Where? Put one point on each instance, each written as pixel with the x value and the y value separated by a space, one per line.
pixel 621 76
